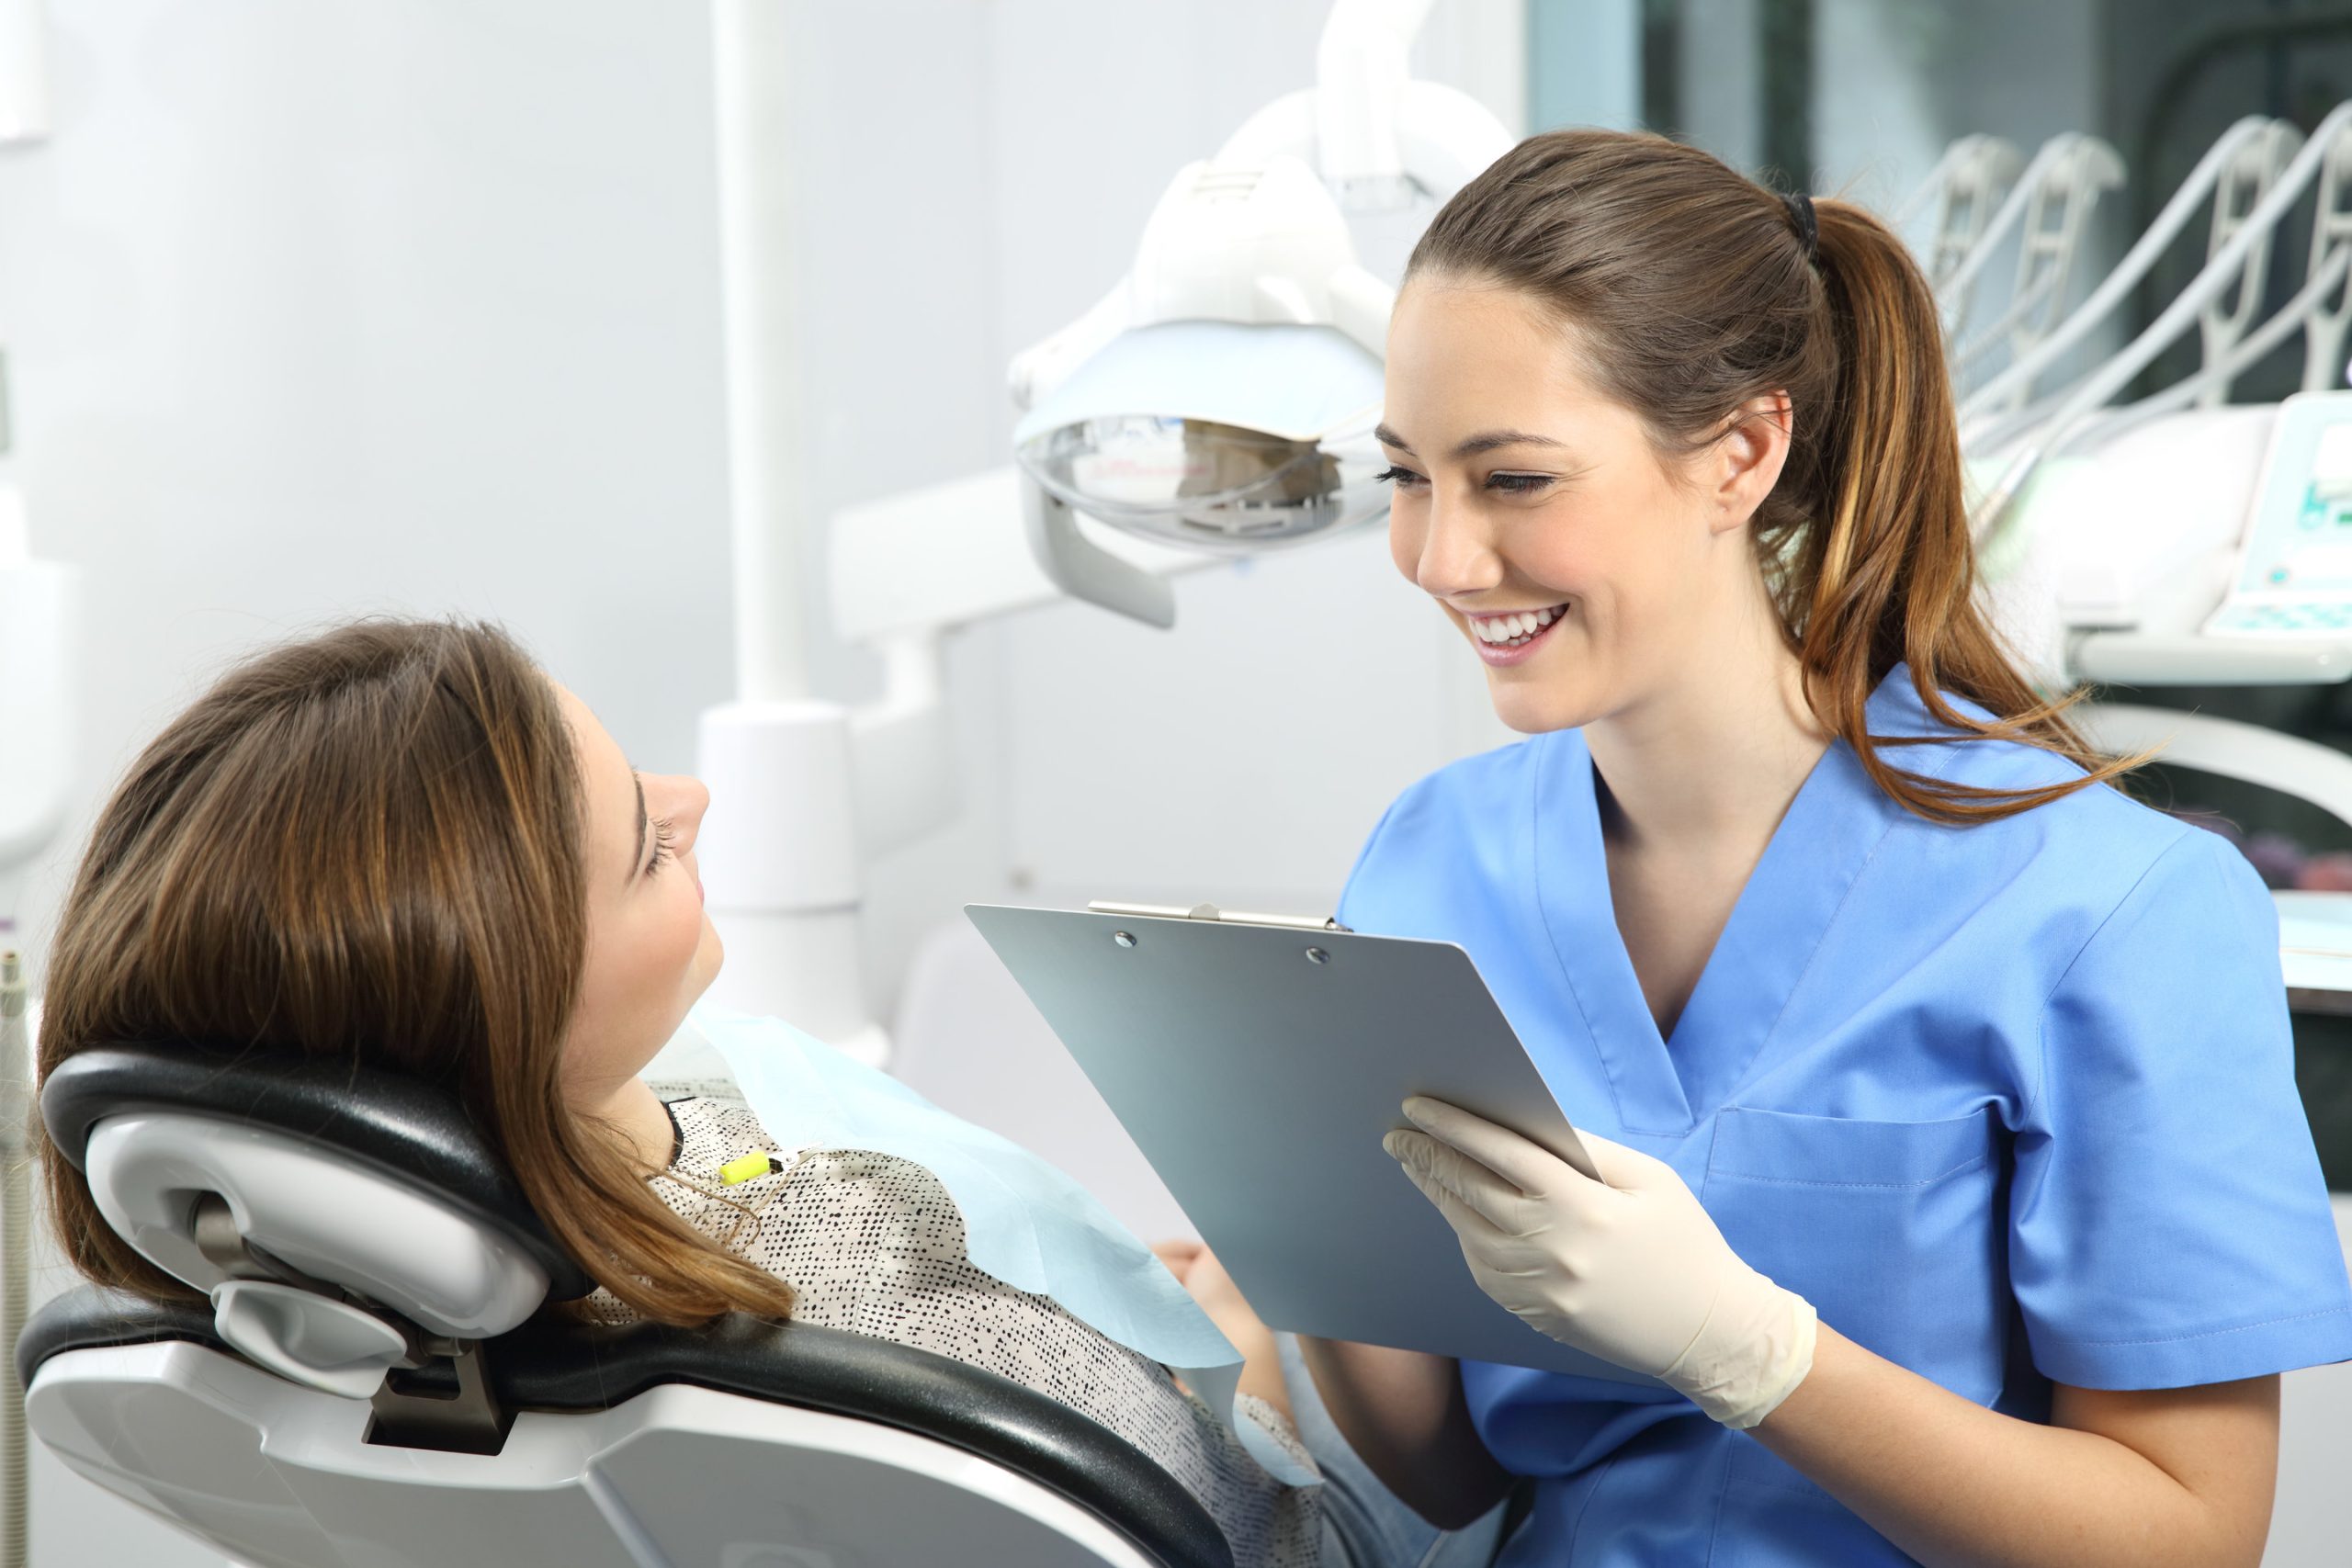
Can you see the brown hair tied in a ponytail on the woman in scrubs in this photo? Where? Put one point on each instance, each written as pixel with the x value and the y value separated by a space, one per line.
pixel 1692 293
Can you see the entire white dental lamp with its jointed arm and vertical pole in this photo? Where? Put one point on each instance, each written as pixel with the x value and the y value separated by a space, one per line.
pixel 1217 403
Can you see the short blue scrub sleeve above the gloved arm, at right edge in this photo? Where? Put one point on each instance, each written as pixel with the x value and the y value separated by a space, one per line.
pixel 2163 1174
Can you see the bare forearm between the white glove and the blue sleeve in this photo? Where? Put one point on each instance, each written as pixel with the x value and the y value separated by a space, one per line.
pixel 1963 1487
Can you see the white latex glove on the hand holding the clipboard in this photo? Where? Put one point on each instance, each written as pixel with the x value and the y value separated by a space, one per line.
pixel 1629 1268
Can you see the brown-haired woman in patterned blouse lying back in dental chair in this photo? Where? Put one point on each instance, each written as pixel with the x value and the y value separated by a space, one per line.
pixel 403 845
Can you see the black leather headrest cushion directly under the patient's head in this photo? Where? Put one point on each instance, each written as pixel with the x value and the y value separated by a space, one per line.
pixel 401 1127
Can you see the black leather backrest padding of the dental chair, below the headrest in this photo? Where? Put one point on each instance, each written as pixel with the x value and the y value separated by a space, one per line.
pixel 559 1365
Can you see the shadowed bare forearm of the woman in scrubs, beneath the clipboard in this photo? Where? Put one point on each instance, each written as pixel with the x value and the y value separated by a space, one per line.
pixel 1405 1416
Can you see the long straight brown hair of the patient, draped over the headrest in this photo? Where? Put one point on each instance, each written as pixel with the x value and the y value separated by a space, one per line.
pixel 368 847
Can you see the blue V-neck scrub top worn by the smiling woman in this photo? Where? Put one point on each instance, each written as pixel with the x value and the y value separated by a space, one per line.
pixel 2007 1104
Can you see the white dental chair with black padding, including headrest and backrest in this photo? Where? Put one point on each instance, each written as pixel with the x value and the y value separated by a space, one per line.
pixel 373 1381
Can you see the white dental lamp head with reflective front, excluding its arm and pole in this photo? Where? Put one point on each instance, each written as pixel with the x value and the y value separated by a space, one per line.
pixel 1236 406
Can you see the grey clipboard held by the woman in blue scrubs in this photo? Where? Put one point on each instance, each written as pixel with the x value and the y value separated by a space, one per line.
pixel 1259 1061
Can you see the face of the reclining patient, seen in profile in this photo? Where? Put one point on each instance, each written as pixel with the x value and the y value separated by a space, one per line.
pixel 650 946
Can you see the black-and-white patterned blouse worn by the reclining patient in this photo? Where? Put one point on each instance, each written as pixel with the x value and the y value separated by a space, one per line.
pixel 874 1245
